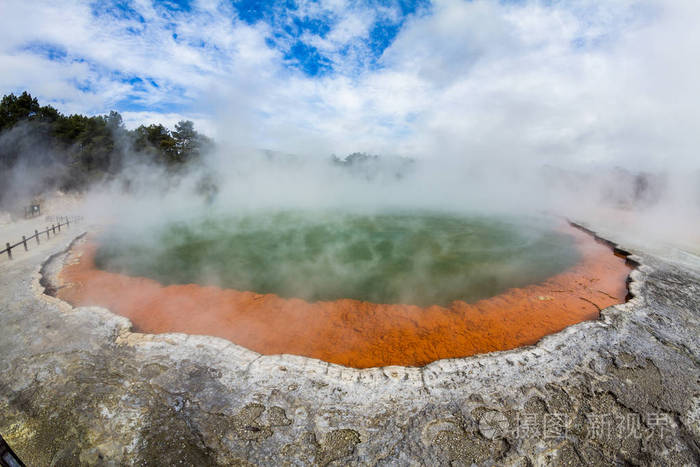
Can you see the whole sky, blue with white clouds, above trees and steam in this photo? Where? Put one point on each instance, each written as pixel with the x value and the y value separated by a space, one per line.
pixel 581 79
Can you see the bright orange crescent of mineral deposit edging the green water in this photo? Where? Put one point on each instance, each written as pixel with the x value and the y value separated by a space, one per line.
pixel 352 332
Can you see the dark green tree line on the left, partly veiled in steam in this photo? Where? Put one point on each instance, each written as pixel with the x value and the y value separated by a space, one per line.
pixel 72 151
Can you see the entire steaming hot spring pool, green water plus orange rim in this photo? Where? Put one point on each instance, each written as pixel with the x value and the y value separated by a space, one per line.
pixel 353 289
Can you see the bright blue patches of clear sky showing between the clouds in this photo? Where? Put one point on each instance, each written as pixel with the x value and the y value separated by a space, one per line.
pixel 311 38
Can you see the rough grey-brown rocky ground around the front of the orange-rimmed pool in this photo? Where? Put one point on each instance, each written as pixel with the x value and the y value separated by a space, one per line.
pixel 78 387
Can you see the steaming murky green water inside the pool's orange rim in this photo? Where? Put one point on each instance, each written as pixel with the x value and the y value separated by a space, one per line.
pixel 413 258
